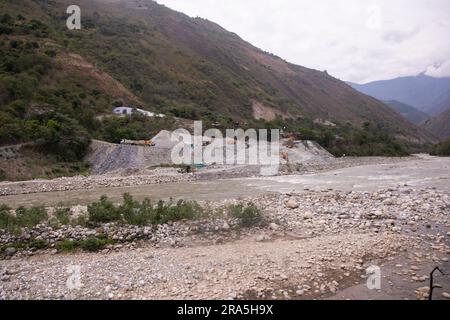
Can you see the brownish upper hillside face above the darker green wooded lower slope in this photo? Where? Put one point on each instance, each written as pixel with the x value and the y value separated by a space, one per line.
pixel 195 68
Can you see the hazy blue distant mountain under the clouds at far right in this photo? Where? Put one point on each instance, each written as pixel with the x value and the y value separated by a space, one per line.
pixel 420 91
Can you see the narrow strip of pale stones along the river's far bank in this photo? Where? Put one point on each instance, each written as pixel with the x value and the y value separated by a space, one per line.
pixel 156 176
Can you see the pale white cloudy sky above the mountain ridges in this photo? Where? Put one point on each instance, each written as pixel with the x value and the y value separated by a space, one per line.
pixel 354 40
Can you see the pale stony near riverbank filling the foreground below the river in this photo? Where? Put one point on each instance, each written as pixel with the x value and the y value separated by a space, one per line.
pixel 313 245
